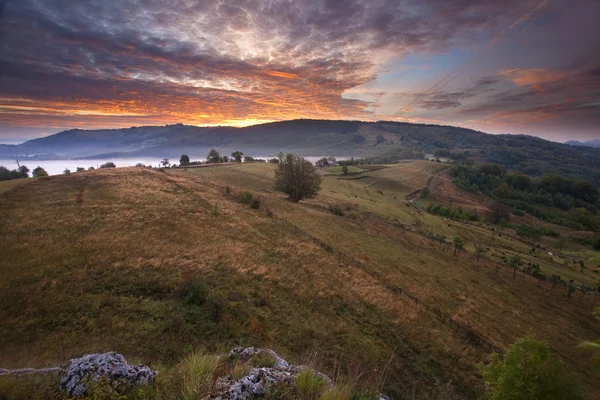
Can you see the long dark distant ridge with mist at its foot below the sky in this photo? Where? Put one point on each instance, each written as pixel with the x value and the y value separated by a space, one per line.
pixel 383 141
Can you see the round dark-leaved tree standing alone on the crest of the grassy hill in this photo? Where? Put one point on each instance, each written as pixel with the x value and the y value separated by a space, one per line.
pixel 297 178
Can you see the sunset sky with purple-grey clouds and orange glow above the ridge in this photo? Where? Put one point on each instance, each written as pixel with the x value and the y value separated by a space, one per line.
pixel 499 66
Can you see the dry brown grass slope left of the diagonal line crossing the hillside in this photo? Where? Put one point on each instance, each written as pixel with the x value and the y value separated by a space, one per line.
pixel 152 264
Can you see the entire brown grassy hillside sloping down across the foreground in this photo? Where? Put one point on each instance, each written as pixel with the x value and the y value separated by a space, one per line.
pixel 153 264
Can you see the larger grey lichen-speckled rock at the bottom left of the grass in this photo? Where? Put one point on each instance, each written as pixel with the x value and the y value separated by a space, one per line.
pixel 112 367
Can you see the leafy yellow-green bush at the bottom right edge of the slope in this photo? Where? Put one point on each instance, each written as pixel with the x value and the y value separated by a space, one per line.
pixel 529 371
